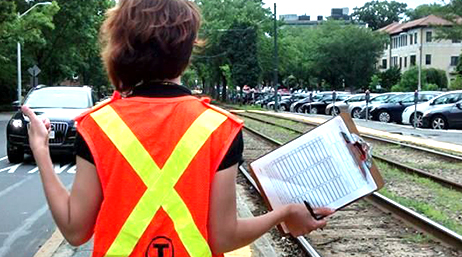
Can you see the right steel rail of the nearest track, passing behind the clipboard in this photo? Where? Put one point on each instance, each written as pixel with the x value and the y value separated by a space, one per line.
pixel 418 221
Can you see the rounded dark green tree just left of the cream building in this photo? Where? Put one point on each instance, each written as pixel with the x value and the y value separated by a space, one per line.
pixel 345 55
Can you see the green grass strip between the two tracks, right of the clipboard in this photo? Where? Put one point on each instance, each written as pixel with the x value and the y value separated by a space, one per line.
pixel 443 200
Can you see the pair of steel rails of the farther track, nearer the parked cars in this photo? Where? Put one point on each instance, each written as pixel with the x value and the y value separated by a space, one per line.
pixel 447 182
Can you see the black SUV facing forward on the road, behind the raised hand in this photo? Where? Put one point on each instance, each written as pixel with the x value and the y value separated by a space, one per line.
pixel 61 105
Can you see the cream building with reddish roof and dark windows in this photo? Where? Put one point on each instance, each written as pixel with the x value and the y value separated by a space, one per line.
pixel 415 43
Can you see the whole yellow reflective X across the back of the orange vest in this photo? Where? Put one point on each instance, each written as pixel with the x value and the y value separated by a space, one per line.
pixel 159 182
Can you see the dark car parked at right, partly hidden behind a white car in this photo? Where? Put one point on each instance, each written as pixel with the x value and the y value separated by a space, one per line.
pixel 391 110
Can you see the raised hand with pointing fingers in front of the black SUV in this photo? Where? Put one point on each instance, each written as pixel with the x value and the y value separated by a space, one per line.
pixel 38 130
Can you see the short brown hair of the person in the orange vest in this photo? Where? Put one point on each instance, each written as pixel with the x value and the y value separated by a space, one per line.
pixel 146 40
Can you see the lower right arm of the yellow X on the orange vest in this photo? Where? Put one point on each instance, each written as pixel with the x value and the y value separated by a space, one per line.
pixel 186 227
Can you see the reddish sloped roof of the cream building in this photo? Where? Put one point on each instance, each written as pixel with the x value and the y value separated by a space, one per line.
pixel 428 21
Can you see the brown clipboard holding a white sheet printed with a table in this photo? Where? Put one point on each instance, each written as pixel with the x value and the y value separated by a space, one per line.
pixel 283 174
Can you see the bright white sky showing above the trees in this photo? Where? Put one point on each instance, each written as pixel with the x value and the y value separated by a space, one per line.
pixel 323 7
